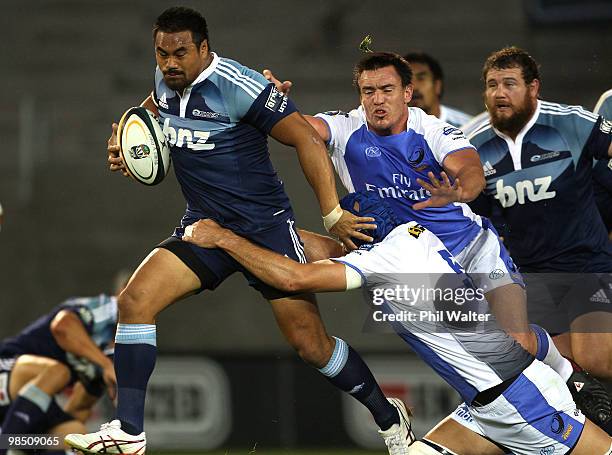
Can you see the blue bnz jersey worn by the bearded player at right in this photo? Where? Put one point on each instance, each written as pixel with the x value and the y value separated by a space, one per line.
pixel 541 183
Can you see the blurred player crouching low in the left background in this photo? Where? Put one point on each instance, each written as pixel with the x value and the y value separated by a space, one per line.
pixel 71 343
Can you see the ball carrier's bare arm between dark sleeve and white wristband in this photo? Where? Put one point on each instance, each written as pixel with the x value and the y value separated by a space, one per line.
pixel 294 130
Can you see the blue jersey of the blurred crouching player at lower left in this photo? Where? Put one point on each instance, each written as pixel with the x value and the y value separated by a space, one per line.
pixel 98 315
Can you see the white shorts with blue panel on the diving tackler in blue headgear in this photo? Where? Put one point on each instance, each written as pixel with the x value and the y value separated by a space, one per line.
pixel 535 415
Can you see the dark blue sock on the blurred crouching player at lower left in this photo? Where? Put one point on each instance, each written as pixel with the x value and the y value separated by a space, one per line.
pixel 28 409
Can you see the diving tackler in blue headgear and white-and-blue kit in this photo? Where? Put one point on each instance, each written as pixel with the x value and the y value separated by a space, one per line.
pixel 516 401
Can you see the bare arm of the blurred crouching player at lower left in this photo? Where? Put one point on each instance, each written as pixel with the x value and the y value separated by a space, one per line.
pixel 71 336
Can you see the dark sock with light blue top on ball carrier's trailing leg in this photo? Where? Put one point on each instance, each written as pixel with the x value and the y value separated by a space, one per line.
pixel 347 371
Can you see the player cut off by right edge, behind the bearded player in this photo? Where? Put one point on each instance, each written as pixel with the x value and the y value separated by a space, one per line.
pixel 602 174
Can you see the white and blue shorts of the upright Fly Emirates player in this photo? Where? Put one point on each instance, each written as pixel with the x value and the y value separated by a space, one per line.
pixel 487 261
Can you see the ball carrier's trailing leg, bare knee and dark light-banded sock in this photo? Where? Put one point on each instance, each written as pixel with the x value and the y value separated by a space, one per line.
pixel 300 322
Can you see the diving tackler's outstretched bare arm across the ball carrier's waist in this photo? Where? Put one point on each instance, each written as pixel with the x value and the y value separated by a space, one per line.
pixel 276 270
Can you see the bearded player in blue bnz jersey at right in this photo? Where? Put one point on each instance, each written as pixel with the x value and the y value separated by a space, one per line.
pixel 537 157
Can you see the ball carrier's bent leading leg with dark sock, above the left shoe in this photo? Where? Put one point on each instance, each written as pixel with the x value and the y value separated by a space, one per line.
pixel 161 279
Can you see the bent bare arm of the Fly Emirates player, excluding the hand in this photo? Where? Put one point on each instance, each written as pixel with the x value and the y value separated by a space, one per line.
pixel 465 165
